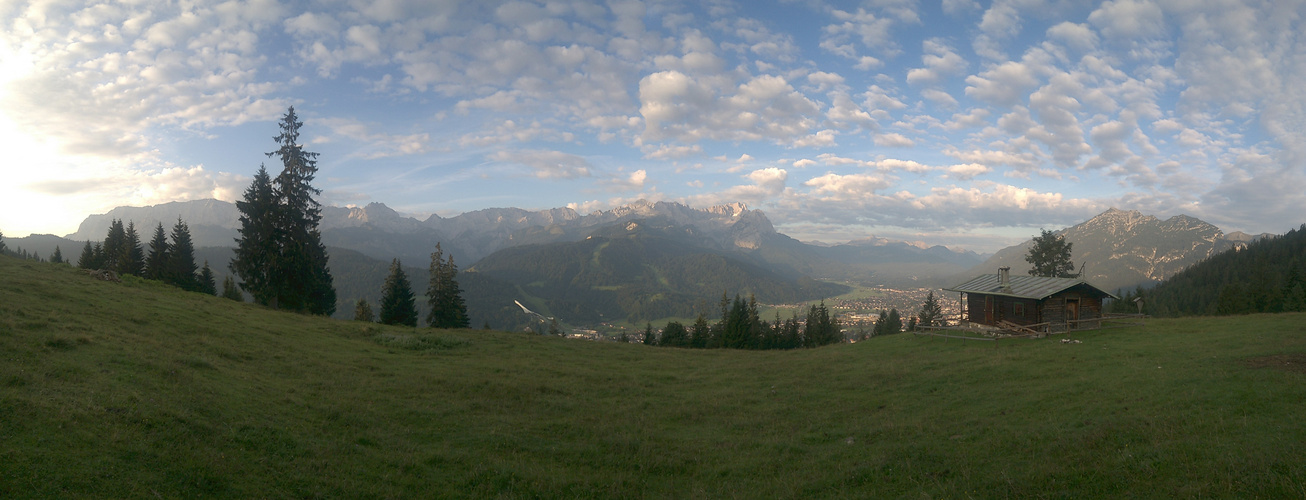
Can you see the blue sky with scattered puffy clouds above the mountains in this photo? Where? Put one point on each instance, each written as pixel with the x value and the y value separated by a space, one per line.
pixel 961 123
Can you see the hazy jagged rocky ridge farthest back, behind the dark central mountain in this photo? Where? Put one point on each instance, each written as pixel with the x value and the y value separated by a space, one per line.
pixel 378 232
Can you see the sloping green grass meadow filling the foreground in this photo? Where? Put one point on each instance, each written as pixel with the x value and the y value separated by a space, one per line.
pixel 139 391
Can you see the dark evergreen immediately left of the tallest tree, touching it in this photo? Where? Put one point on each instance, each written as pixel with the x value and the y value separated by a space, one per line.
pixel 258 247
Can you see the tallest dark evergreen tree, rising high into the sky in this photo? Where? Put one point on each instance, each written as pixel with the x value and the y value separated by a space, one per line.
pixel 304 280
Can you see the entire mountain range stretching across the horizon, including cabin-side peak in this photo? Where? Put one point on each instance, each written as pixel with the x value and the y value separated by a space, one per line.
pixel 648 260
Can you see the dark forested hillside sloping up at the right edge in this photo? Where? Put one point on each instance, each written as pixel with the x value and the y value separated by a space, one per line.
pixel 1267 276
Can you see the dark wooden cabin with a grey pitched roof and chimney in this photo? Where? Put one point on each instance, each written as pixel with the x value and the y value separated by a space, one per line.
pixel 1045 305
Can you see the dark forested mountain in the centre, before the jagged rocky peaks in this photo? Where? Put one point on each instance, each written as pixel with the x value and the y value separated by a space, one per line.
pixel 641 271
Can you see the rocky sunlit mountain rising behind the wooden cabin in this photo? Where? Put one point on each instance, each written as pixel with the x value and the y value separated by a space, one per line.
pixel 1123 250
